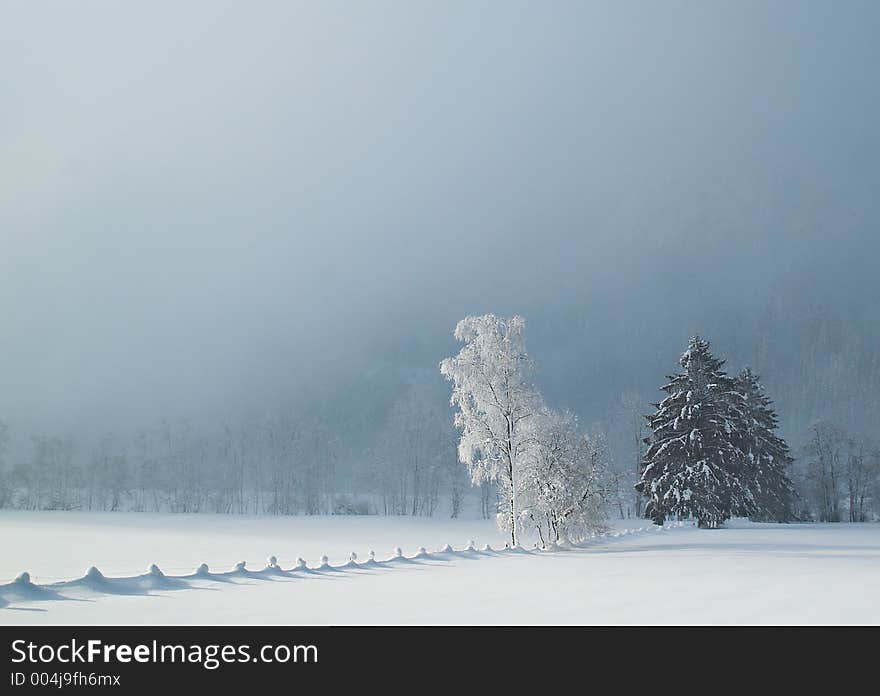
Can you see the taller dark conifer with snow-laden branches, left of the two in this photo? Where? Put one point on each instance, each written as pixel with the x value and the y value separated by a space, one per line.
pixel 692 463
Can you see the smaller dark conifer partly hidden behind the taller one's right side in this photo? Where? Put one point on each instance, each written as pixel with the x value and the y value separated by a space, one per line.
pixel 766 456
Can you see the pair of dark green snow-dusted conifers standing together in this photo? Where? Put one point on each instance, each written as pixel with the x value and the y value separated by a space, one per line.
pixel 714 452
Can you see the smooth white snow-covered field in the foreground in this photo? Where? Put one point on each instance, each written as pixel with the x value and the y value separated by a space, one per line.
pixel 744 573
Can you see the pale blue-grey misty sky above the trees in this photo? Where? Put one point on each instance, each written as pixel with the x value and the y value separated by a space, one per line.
pixel 208 204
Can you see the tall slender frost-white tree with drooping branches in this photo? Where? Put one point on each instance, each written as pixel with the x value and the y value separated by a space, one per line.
pixel 497 406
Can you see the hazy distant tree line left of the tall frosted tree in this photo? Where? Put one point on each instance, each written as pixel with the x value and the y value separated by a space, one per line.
pixel 276 465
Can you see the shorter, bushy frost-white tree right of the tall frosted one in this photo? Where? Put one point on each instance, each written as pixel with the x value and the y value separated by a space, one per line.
pixel 563 487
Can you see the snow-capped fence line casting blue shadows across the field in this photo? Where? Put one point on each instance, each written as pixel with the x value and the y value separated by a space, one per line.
pixel 22 588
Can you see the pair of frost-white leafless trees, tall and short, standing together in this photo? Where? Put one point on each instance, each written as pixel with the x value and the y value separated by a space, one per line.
pixel 548 473
